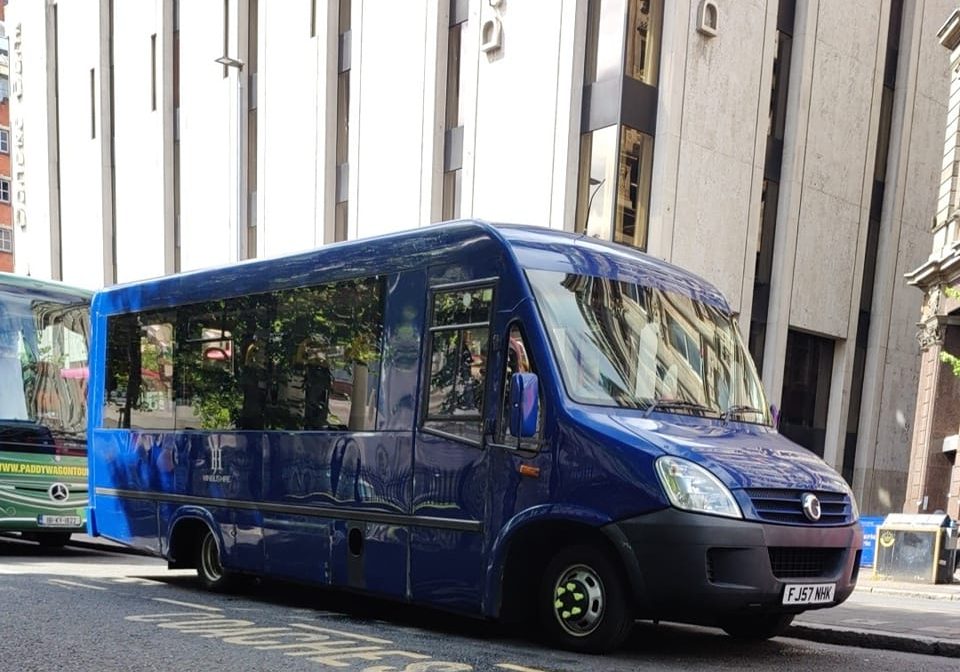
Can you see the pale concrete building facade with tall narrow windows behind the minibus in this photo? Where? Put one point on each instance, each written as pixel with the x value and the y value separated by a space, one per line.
pixel 789 151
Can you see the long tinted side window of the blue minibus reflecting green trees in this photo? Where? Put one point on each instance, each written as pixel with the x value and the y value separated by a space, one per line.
pixel 305 358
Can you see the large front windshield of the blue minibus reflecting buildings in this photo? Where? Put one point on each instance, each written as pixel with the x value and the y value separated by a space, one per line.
pixel 627 345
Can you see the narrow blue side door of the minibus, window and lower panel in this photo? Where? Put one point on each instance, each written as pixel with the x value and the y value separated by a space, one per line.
pixel 450 463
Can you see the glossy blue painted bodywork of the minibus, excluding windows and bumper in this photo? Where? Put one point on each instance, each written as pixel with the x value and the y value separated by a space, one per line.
pixel 437 514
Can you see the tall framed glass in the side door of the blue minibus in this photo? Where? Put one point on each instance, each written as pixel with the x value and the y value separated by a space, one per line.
pixel 459 335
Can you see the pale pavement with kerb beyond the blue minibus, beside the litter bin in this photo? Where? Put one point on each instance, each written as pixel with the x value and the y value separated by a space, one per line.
pixel 922 618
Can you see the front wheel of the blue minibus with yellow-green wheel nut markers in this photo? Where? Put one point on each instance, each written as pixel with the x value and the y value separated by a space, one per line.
pixel 583 601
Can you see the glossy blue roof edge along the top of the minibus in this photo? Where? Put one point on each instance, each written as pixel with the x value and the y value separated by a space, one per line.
pixel 533 247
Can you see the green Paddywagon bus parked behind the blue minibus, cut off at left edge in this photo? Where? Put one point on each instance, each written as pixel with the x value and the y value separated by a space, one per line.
pixel 44 335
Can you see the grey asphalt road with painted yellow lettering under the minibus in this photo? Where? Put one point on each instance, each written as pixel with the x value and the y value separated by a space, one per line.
pixel 86 609
